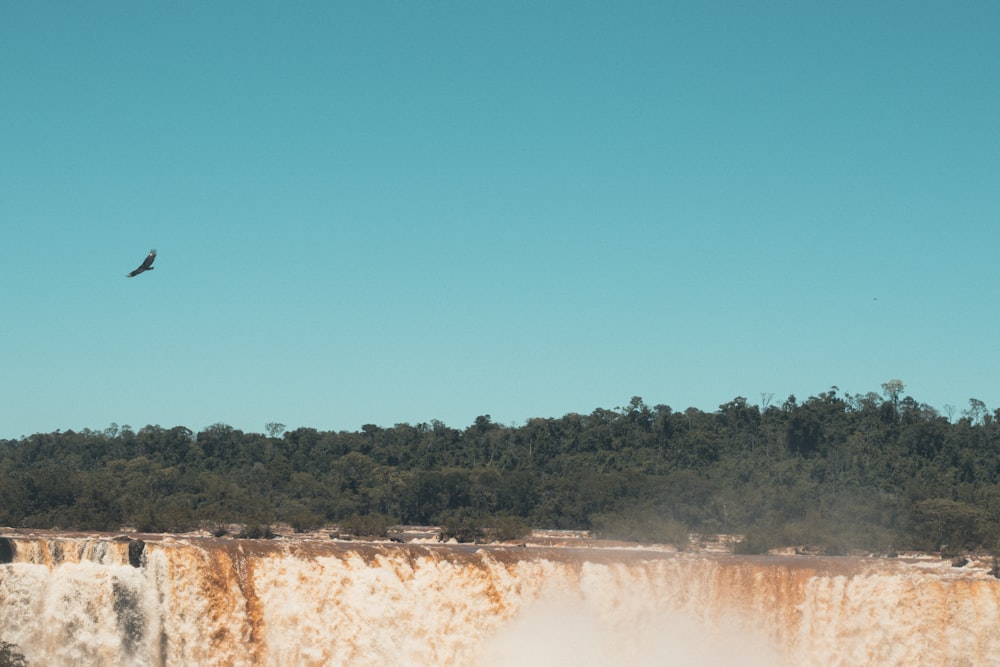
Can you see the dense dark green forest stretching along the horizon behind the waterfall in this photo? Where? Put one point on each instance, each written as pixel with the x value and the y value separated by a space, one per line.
pixel 878 471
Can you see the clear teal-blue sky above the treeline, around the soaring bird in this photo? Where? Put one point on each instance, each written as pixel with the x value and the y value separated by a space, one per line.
pixel 384 212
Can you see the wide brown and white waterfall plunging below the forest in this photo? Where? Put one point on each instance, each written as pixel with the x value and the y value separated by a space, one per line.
pixel 78 601
